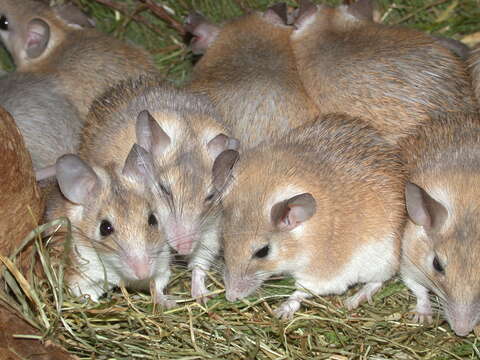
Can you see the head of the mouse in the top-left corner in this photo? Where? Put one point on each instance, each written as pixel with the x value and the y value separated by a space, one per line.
pixel 31 30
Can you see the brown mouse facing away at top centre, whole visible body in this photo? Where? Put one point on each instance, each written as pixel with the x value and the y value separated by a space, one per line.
pixel 248 71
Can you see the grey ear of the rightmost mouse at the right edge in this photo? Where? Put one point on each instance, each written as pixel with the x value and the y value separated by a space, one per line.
pixel 422 209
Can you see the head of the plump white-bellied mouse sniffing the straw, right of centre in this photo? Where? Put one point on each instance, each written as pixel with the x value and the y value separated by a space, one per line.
pixel 264 218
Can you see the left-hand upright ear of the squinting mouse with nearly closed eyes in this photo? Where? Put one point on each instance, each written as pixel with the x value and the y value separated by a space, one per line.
pixel 150 134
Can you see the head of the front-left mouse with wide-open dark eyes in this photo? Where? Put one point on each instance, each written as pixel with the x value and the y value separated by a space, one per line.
pixel 111 212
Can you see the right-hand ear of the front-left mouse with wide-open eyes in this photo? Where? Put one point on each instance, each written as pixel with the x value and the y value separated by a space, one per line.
pixel 138 165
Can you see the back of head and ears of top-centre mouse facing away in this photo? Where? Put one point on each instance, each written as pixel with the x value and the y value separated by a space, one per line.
pixel 205 34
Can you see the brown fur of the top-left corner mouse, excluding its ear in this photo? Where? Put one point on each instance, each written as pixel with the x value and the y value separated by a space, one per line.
pixel 85 62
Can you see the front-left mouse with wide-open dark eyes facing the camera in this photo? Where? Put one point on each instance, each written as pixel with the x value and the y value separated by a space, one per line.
pixel 116 235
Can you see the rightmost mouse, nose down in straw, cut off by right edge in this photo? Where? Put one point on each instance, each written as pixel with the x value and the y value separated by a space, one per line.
pixel 441 244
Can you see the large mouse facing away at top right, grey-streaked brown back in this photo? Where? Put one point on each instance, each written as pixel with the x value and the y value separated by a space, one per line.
pixel 396 75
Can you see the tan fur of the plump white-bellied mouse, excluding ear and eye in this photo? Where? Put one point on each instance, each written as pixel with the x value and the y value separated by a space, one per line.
pixel 357 181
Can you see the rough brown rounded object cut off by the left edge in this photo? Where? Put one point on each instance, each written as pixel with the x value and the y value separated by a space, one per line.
pixel 22 205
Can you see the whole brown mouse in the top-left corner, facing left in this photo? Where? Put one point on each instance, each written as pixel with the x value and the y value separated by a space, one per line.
pixel 62 43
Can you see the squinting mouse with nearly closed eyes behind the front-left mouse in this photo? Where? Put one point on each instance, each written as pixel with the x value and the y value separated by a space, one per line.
pixel 184 134
